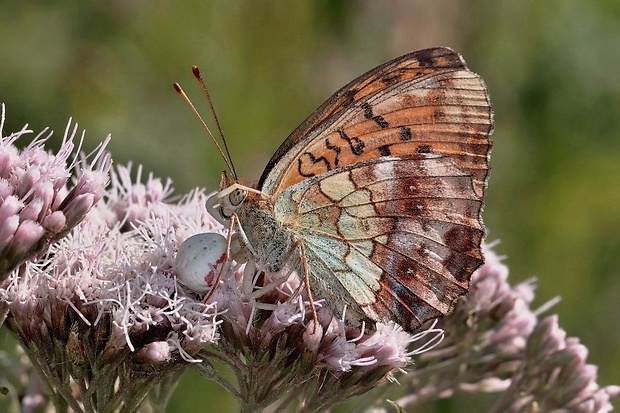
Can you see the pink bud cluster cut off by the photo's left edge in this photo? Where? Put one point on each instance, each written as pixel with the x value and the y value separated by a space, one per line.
pixel 39 204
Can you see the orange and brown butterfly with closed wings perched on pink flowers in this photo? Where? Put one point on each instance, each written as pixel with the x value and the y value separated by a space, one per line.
pixel 377 195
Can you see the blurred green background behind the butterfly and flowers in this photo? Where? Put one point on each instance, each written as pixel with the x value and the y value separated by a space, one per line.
pixel 552 69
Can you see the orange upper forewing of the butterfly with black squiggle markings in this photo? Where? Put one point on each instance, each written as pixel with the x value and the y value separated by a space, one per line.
pixel 423 102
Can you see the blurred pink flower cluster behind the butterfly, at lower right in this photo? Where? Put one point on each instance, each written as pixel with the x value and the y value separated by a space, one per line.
pixel 496 343
